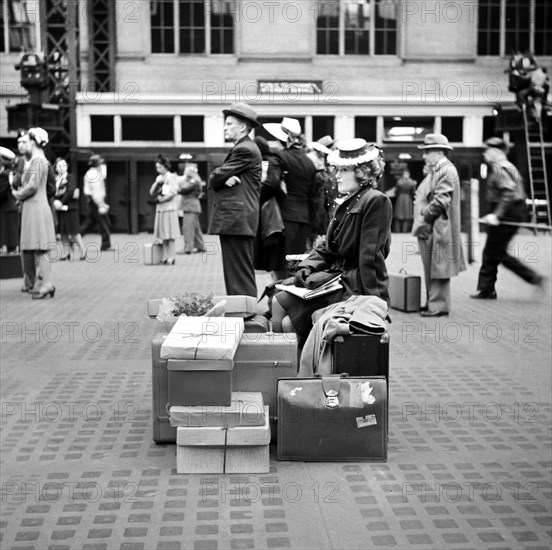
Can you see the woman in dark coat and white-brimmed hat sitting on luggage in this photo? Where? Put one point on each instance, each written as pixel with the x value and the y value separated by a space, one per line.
pixel 357 241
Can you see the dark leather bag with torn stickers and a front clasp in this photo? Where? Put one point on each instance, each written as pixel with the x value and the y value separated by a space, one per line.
pixel 332 418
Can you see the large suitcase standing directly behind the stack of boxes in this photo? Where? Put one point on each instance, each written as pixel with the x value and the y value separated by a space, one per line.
pixel 258 363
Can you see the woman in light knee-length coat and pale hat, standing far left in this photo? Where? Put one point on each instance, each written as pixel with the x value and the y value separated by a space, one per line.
pixel 37 223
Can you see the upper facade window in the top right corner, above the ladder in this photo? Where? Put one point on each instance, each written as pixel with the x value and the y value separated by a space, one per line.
pixel 512 25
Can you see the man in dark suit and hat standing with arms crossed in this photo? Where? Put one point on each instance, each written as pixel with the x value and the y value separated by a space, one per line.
pixel 236 187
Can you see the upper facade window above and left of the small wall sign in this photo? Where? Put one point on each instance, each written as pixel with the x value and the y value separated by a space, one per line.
pixel 192 26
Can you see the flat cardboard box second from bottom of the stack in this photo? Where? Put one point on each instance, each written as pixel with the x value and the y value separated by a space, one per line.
pixel 246 409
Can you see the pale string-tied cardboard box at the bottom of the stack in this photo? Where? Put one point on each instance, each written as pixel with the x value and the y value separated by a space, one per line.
pixel 216 450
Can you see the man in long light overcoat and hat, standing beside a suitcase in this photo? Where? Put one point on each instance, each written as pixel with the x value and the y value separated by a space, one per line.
pixel 441 249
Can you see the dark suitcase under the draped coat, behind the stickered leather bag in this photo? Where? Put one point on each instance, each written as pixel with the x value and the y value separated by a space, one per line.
pixel 361 355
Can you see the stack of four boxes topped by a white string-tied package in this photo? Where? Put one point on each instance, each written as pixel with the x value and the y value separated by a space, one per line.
pixel 218 431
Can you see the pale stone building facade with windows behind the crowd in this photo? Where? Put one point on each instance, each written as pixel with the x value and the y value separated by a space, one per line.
pixel 153 76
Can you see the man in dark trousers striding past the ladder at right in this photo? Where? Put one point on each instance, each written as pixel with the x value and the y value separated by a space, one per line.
pixel 506 199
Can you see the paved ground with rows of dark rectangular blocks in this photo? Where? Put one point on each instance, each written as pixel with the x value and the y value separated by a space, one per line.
pixel 470 454
